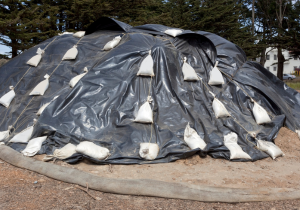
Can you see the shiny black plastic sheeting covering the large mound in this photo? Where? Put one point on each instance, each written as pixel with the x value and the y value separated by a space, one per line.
pixel 102 105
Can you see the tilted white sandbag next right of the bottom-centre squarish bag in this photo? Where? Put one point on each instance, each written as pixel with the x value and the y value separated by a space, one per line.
pixel 192 138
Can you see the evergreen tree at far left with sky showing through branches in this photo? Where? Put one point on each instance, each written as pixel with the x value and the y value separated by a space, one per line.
pixel 24 24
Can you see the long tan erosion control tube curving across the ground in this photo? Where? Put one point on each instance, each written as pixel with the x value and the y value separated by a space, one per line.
pixel 146 187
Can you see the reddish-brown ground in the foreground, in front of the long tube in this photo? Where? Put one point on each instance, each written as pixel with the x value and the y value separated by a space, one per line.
pixel 22 189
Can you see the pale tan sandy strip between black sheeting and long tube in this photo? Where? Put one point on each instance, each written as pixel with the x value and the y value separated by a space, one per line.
pixel 282 172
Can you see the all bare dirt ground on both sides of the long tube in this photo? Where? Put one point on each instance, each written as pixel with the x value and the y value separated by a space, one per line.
pixel 22 189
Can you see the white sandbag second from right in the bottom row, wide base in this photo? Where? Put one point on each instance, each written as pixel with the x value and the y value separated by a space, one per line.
pixel 236 152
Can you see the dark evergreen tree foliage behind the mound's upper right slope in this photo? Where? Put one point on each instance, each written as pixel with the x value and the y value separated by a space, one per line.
pixel 222 17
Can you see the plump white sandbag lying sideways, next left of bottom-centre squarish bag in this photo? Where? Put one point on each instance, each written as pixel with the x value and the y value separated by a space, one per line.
pixel 92 150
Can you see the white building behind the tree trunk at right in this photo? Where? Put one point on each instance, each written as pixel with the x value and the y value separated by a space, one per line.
pixel 272 59
